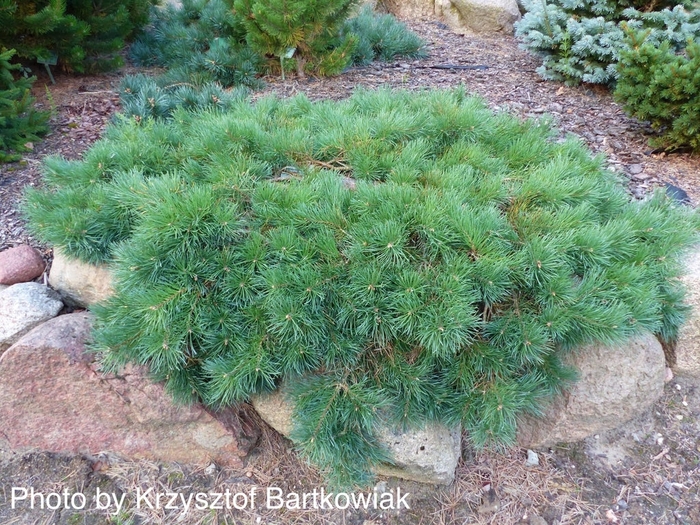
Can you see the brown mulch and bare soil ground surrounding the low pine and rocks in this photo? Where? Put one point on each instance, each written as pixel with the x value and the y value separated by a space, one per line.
pixel 646 472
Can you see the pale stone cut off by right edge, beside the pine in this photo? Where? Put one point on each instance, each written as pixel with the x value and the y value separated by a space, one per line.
pixel 687 351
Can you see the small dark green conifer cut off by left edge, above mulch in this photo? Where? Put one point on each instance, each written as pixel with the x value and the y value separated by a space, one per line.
pixel 20 122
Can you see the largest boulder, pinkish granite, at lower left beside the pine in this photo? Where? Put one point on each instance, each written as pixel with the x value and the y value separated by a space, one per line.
pixel 53 398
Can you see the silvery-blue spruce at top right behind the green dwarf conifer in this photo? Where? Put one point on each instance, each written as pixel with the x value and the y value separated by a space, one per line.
pixel 581 40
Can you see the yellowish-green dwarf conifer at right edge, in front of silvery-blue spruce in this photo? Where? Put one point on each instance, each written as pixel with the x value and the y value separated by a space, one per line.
pixel 660 85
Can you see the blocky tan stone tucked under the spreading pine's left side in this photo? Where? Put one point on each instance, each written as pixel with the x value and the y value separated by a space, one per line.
pixel 79 283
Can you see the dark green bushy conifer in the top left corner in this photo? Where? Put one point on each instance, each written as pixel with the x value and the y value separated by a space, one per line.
pixel 86 35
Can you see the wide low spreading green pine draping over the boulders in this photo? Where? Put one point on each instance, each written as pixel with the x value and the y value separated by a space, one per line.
pixel 395 256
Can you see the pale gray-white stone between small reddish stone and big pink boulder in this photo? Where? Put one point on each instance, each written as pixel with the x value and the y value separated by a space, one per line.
pixel 24 306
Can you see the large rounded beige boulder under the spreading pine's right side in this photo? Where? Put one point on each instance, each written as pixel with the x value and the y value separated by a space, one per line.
pixel 616 384
